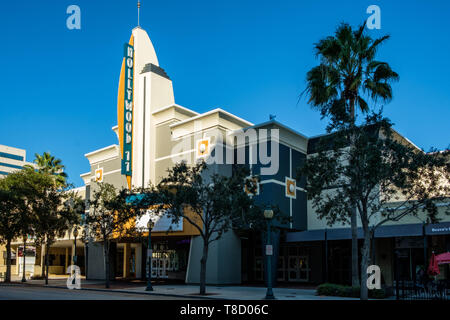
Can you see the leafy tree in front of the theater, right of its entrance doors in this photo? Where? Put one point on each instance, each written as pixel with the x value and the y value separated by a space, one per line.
pixel 213 204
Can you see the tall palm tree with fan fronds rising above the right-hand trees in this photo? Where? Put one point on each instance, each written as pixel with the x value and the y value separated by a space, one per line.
pixel 346 78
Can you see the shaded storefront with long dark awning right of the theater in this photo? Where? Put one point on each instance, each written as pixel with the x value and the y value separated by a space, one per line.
pixel 400 251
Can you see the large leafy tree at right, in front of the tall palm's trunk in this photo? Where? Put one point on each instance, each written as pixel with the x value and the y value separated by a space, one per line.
pixel 384 177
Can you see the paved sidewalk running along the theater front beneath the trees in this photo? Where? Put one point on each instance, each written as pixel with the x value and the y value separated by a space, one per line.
pixel 190 291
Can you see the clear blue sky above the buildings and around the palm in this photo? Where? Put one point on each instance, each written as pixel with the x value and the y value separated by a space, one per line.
pixel 59 87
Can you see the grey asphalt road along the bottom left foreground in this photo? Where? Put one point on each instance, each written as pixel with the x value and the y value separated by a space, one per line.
pixel 42 293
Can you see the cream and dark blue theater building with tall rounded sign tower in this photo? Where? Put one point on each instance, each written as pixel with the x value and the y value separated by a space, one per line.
pixel 153 133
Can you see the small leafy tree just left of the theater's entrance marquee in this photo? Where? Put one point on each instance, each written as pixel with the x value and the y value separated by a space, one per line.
pixel 110 216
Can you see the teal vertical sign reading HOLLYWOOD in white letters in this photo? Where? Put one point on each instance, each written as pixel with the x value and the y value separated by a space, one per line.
pixel 128 110
